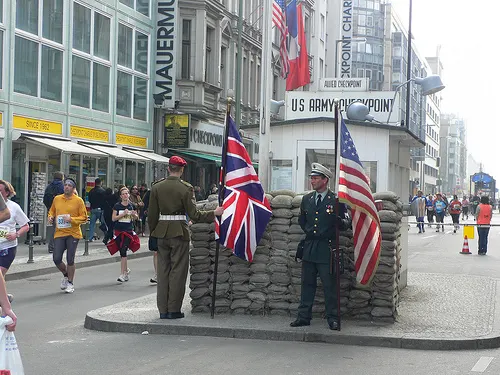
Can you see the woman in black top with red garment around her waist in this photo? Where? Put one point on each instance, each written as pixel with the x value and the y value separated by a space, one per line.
pixel 124 215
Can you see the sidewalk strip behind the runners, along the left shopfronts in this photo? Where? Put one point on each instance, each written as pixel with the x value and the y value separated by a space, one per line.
pixel 43 264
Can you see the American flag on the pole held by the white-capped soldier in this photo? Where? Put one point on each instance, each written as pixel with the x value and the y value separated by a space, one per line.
pixel 354 189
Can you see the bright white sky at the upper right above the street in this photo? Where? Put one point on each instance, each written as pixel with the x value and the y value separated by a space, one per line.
pixel 467 33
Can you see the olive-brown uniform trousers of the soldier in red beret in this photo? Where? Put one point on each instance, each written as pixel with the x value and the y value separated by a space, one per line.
pixel 173 266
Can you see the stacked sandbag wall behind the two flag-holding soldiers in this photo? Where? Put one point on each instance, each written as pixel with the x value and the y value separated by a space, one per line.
pixel 270 285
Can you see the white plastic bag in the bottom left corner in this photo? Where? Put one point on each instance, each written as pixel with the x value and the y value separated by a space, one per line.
pixel 10 358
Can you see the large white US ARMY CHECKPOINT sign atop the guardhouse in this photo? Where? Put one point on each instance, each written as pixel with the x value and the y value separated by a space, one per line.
pixel 309 104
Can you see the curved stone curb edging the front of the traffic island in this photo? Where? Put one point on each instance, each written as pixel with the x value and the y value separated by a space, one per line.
pixel 398 342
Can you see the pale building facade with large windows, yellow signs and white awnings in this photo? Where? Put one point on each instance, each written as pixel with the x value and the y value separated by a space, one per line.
pixel 76 92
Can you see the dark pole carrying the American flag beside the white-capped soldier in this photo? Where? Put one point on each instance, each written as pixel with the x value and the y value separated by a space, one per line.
pixel 336 257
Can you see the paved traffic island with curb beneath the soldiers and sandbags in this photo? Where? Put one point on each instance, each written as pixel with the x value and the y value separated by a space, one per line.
pixel 437 312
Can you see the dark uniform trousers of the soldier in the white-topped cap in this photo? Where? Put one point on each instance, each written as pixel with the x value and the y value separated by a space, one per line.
pixel 310 273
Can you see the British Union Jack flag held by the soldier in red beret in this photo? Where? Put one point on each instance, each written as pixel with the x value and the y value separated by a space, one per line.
pixel 246 209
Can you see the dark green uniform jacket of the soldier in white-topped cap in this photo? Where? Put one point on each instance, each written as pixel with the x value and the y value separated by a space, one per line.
pixel 319 225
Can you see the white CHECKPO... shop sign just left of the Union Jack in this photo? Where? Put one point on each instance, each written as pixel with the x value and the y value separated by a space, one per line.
pixel 206 137
